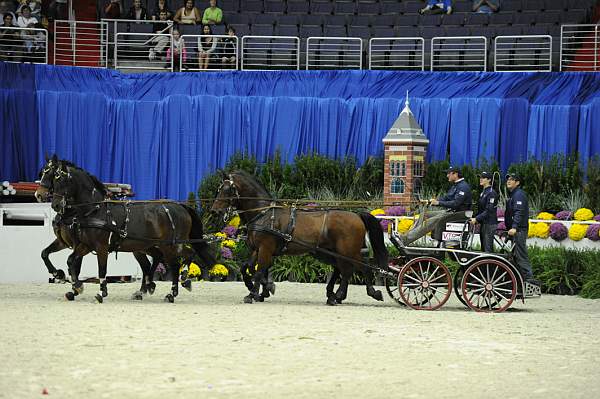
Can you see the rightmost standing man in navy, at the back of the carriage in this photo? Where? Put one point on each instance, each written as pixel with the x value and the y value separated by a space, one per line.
pixel 516 219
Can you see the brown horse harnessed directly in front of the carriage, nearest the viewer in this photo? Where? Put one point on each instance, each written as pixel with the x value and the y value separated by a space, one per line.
pixel 333 236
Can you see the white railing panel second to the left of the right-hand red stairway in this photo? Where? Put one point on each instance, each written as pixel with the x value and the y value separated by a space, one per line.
pixel 459 53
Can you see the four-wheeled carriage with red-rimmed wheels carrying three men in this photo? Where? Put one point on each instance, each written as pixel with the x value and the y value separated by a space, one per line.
pixel 484 282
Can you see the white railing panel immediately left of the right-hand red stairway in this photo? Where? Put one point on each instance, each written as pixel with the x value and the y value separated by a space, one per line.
pixel 523 53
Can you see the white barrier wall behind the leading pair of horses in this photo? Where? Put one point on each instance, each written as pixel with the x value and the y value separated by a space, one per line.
pixel 21 248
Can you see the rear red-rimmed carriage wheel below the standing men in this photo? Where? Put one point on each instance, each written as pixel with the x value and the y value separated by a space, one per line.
pixel 489 286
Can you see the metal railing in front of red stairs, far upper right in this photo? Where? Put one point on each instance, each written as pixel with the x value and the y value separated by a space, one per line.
pixel 580 47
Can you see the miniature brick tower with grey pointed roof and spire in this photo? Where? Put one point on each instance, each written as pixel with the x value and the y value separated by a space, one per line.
pixel 405 146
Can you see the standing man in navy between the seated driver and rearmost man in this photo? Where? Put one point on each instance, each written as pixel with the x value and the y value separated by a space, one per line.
pixel 486 213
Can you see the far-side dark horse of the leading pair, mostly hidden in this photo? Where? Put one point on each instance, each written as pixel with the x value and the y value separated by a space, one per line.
pixel 62 226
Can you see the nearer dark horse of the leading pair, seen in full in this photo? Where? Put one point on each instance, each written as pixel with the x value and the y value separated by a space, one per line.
pixel 153 228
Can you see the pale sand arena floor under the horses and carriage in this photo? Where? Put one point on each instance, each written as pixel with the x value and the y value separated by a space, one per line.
pixel 211 345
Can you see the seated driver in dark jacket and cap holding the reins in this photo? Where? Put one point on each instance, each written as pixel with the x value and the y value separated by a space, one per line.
pixel 456 201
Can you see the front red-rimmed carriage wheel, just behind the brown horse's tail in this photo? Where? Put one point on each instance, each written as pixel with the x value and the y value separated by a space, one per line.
pixel 425 283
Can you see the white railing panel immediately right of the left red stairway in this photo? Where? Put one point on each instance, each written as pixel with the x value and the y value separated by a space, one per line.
pixel 143 51
